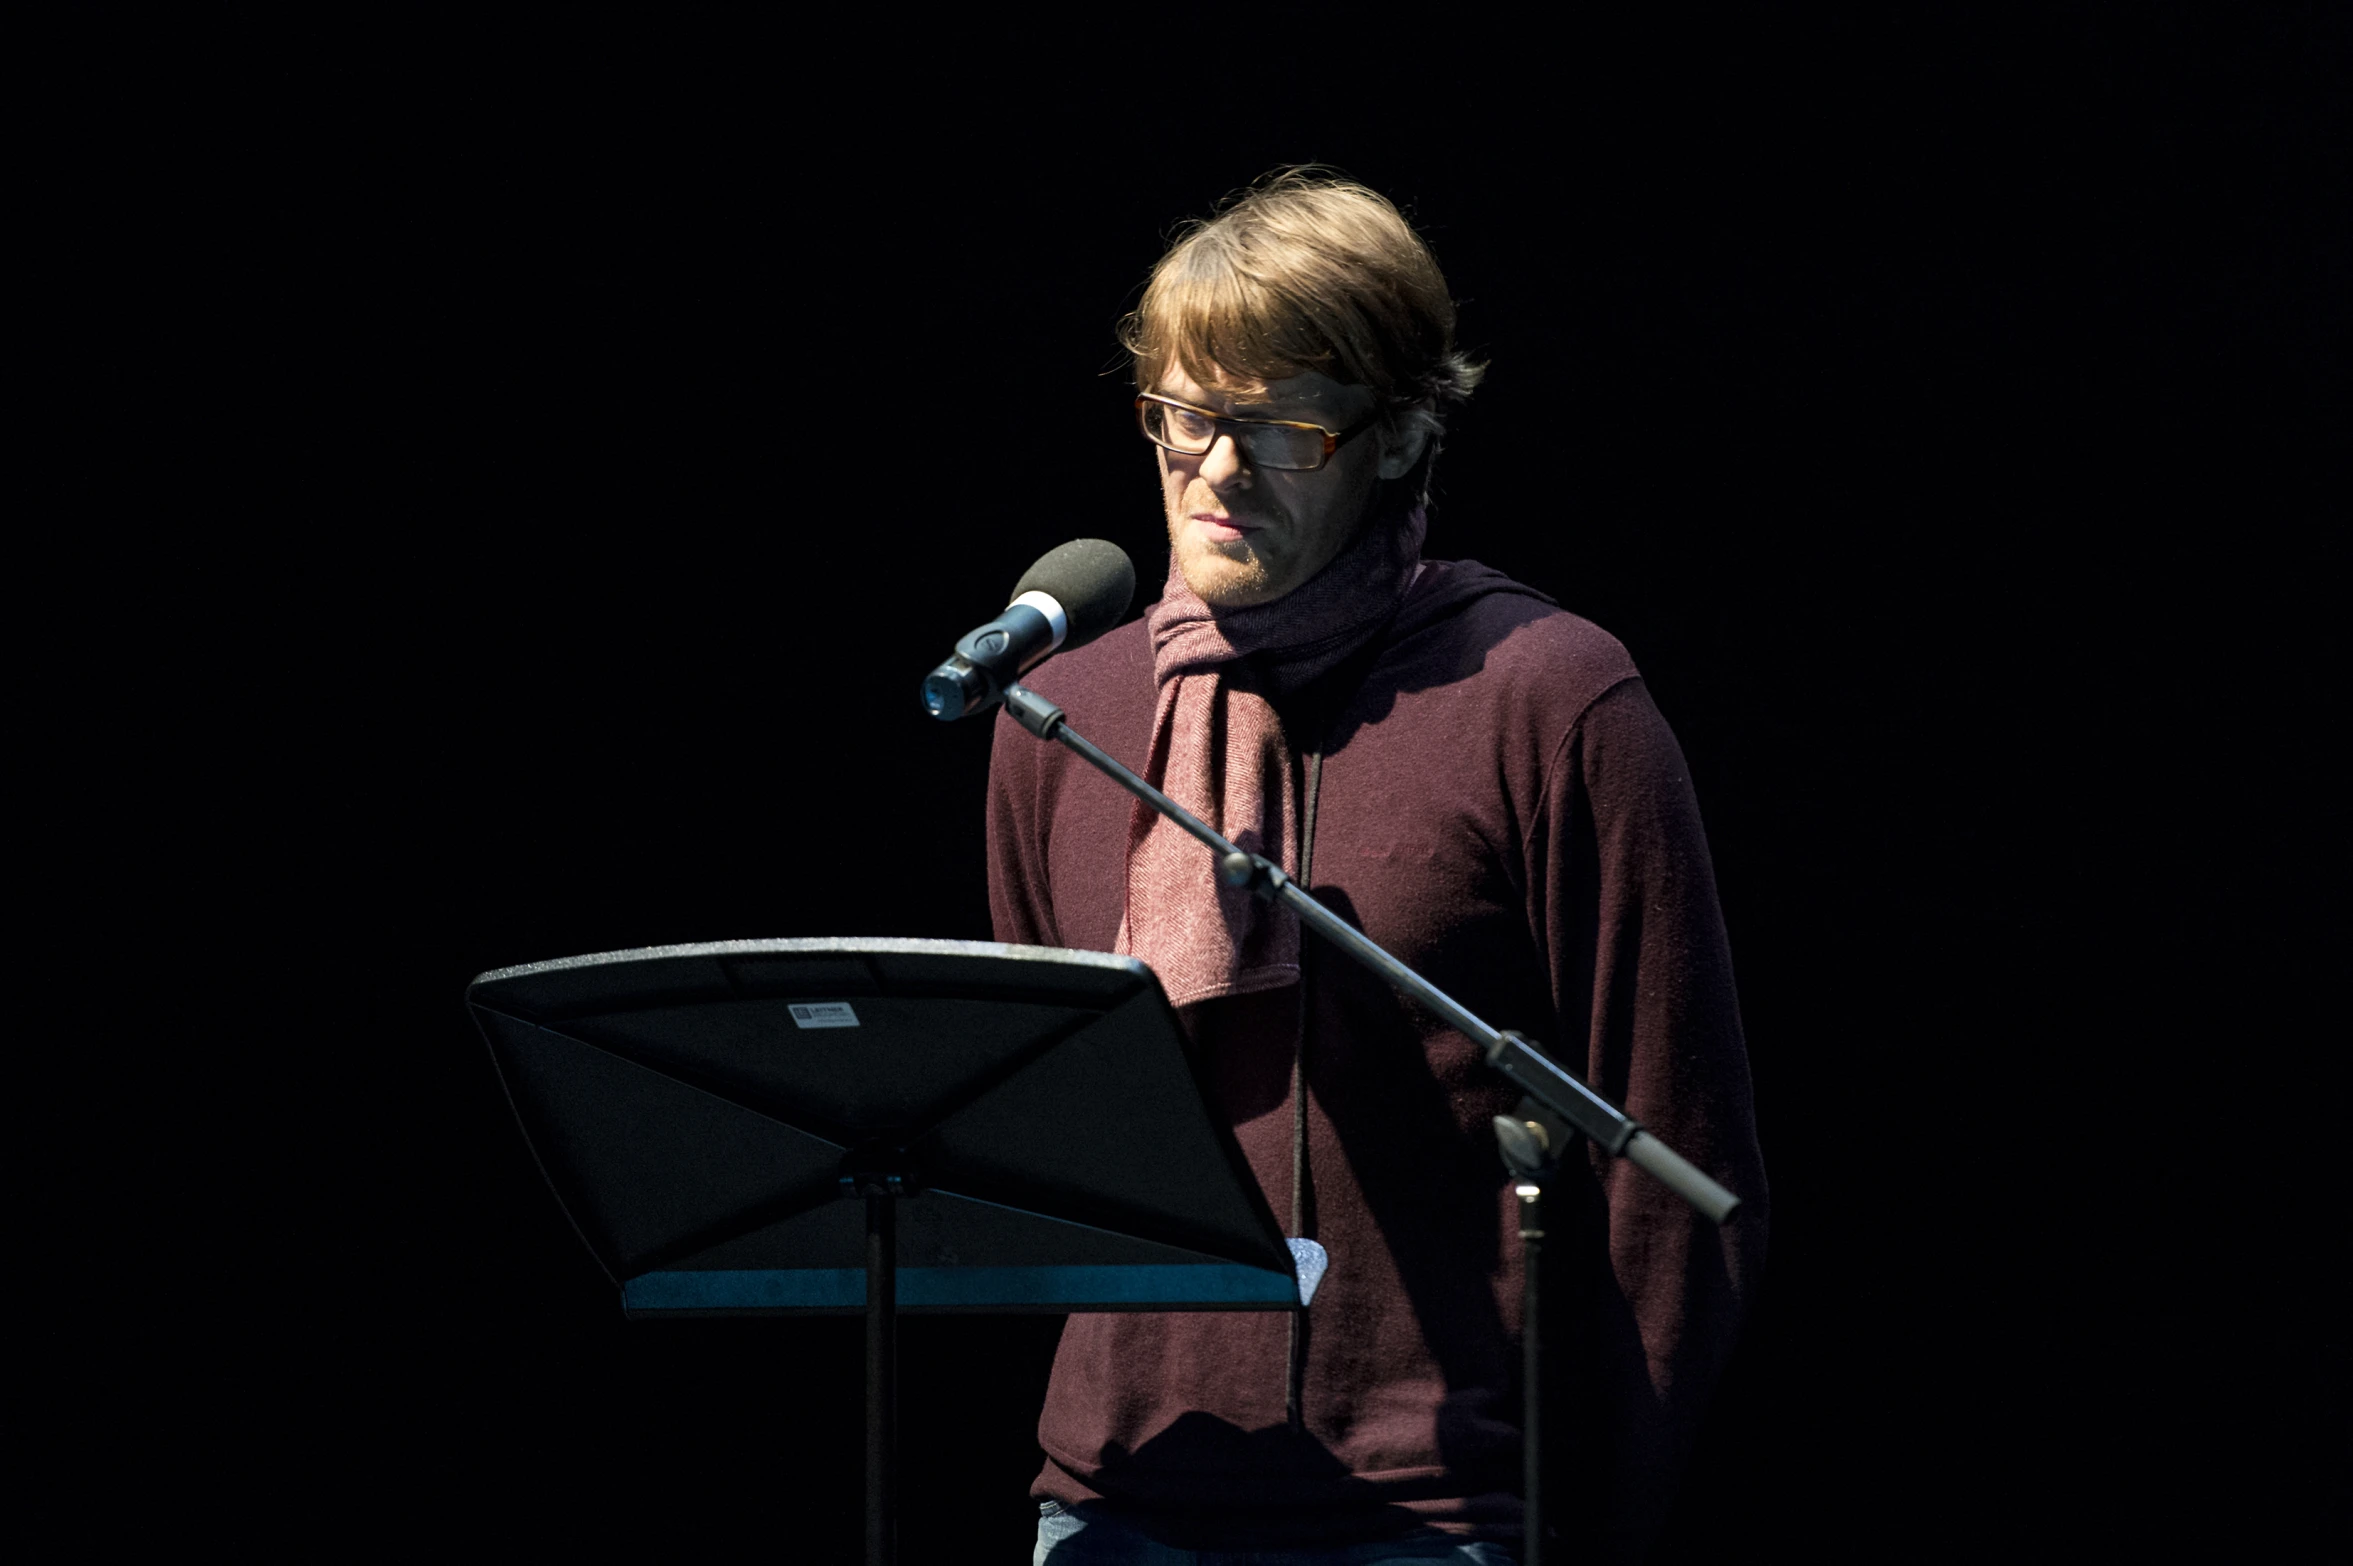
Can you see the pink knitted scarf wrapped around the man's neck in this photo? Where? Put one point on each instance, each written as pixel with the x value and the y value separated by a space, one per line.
pixel 1220 751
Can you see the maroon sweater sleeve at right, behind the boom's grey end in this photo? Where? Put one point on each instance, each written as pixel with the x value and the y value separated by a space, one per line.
pixel 1641 970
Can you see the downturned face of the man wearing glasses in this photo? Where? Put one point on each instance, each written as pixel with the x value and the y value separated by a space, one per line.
pixel 1251 535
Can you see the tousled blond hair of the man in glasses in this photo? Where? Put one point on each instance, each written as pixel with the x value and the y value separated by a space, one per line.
pixel 1309 272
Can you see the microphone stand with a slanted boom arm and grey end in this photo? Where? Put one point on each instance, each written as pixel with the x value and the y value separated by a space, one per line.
pixel 1512 1055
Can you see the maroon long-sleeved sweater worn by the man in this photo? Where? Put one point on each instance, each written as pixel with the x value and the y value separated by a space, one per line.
pixel 1505 810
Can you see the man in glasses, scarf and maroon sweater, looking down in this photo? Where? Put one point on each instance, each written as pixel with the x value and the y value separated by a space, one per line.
pixel 1481 784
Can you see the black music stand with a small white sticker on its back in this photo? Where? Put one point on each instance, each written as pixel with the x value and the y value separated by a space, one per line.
pixel 702 1113
